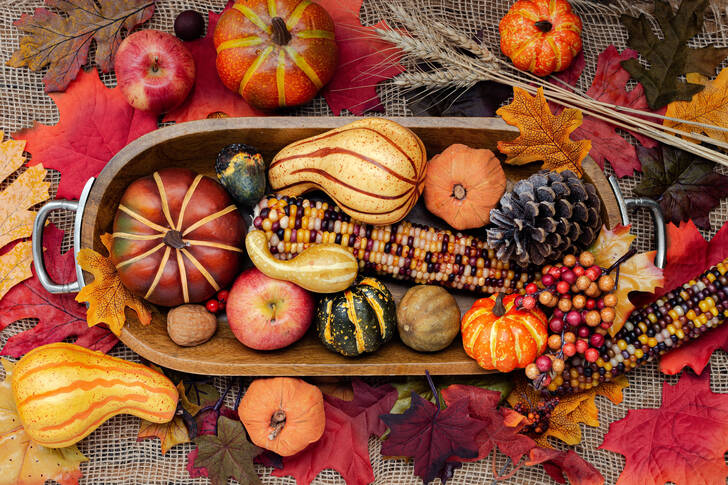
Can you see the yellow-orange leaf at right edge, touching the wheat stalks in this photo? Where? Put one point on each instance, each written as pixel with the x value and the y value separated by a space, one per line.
pixel 709 106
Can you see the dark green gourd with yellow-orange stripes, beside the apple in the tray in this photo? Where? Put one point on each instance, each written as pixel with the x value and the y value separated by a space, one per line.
pixel 360 319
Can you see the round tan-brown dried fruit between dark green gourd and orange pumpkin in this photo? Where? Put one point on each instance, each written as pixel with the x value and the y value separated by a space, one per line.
pixel 428 318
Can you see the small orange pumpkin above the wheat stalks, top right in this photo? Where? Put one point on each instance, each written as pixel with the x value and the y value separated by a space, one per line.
pixel 541 36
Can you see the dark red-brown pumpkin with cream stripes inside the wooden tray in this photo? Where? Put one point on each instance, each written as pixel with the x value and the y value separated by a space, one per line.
pixel 177 237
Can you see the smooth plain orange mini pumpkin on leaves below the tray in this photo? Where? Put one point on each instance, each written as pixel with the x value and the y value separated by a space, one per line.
pixel 283 414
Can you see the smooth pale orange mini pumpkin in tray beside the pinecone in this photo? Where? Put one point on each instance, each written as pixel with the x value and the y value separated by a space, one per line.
pixel 463 184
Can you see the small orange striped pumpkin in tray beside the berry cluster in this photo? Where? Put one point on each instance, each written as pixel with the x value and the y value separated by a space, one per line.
pixel 501 337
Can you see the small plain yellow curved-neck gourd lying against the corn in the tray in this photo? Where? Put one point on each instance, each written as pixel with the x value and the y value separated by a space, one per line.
pixel 321 268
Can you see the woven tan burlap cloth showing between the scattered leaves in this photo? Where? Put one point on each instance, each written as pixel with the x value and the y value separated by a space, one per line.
pixel 116 457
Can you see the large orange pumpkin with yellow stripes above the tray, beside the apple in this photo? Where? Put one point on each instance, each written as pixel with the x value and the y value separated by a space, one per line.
pixel 275 53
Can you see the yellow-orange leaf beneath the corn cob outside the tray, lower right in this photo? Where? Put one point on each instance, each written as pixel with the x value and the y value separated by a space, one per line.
pixel 571 410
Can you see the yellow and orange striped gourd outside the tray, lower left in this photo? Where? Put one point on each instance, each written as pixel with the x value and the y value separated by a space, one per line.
pixel 63 392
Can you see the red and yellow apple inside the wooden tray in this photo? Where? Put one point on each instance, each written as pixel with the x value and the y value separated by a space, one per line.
pixel 268 314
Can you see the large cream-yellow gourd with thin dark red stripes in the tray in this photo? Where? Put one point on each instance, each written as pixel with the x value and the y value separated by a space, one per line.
pixel 373 168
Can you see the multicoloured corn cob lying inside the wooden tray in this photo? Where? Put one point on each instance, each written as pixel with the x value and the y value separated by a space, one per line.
pixel 404 251
